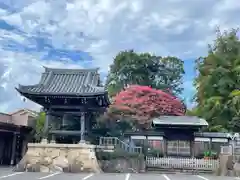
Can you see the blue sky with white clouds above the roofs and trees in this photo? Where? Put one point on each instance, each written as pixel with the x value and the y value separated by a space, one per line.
pixel 89 33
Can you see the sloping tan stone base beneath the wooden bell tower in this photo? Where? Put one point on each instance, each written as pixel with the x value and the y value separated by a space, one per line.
pixel 52 157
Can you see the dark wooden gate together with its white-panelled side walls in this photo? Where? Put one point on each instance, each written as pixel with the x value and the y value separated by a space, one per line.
pixel 180 136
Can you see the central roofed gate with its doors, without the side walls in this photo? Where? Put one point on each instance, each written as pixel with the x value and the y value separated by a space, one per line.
pixel 179 130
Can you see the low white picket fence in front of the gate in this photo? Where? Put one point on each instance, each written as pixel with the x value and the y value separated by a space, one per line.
pixel 182 163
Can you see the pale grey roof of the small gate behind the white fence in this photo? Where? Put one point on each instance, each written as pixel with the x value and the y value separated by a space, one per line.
pixel 180 121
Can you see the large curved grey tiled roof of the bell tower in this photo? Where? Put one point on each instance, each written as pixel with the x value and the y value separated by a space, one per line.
pixel 66 82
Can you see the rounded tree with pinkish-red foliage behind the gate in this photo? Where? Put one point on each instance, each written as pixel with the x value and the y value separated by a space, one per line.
pixel 142 103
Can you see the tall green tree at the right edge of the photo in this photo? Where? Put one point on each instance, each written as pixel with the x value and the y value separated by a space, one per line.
pixel 218 83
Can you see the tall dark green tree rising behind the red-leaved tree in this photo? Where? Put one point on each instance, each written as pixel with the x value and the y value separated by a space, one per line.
pixel 145 69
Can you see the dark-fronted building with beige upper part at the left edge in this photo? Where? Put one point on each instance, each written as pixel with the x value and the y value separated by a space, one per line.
pixel 14 134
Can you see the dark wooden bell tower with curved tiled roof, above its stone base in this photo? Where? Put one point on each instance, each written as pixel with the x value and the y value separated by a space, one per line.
pixel 70 98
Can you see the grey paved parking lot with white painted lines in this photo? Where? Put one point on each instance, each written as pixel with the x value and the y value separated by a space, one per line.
pixel 9 175
